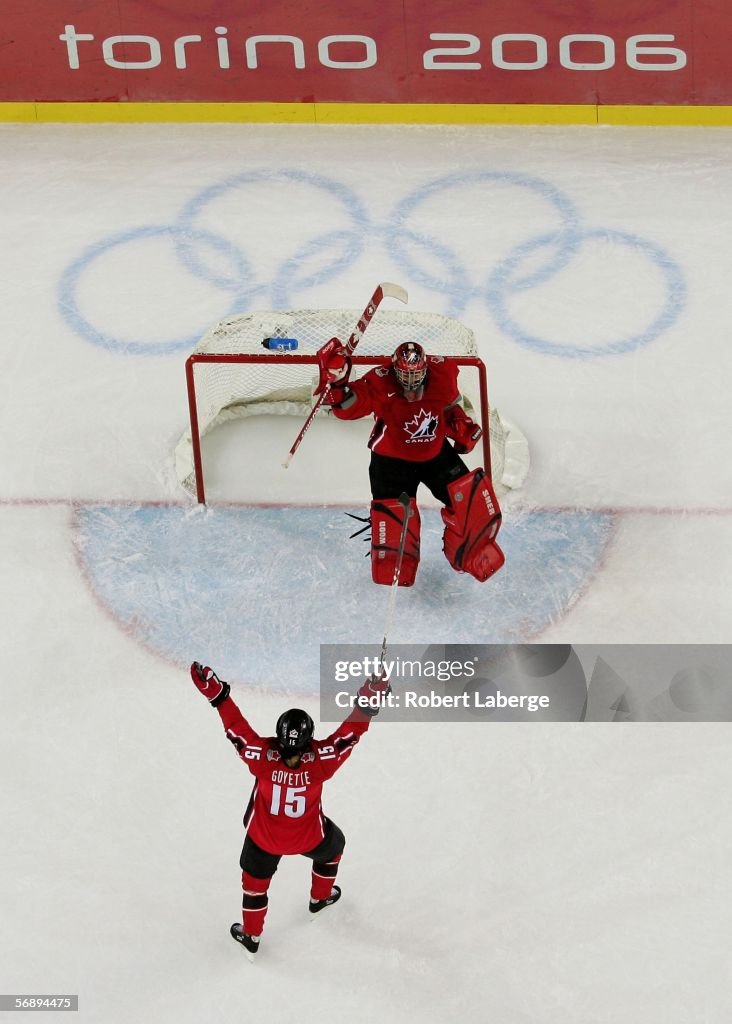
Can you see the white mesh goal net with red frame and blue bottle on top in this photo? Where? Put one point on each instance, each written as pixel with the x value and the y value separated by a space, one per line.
pixel 265 364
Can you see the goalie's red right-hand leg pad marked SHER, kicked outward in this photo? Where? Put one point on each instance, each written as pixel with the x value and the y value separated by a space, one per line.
pixel 471 526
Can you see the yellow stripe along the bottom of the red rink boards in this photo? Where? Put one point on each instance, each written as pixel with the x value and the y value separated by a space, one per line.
pixel 422 114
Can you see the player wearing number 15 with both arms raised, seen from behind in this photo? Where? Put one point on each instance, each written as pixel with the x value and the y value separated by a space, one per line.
pixel 285 816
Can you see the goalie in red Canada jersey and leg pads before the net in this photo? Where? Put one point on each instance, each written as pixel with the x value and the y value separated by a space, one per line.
pixel 420 433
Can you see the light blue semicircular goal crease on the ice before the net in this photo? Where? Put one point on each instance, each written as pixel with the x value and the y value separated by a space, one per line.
pixel 254 591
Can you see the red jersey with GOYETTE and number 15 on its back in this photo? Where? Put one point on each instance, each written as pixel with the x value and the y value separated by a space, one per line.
pixel 285 815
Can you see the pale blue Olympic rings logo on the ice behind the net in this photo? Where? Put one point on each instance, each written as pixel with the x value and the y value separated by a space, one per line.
pixel 538 266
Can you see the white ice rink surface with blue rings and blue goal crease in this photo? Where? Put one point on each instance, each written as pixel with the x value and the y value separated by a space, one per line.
pixel 549 874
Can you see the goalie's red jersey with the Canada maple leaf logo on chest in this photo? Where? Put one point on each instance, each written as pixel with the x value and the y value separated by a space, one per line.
pixel 412 431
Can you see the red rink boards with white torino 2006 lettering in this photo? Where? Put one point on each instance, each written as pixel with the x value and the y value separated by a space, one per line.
pixel 358 52
